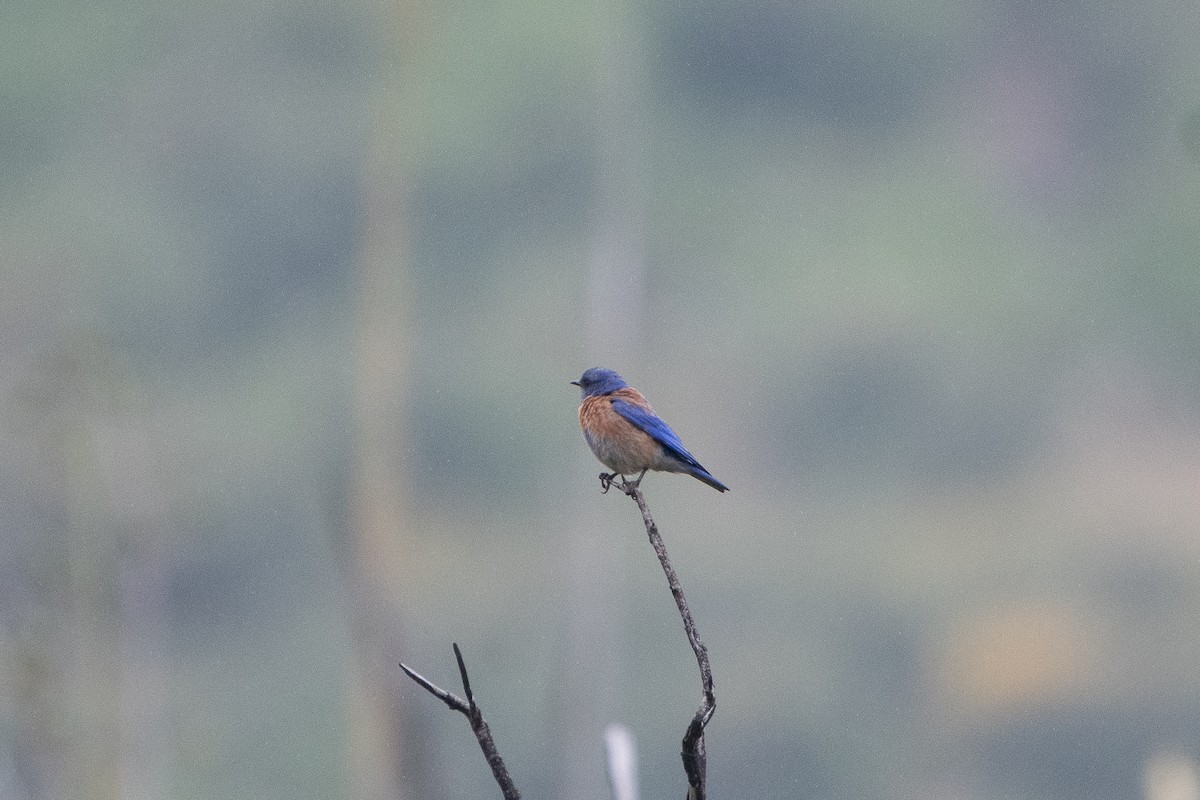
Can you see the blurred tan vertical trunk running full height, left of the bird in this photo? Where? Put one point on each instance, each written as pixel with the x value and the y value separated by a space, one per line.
pixel 381 760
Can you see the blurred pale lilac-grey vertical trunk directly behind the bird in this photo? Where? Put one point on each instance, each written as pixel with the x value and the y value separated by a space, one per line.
pixel 598 617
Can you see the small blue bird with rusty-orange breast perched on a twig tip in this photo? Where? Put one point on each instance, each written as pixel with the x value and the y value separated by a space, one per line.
pixel 626 434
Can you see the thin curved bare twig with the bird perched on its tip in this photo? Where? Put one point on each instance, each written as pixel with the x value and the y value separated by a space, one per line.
pixel 694 757
